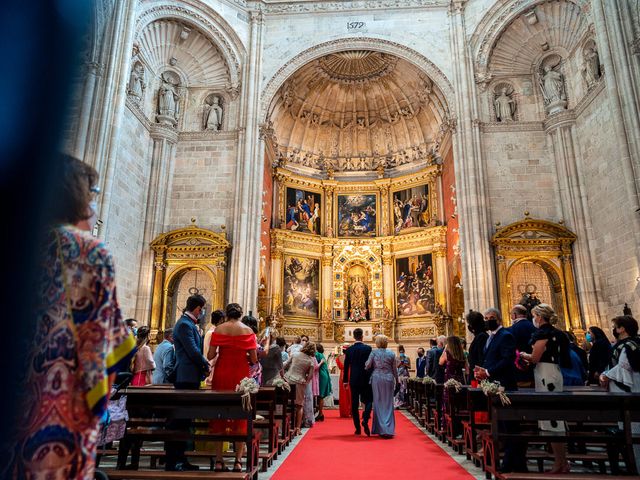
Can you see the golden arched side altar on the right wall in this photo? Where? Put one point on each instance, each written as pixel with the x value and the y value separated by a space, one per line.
pixel 541 250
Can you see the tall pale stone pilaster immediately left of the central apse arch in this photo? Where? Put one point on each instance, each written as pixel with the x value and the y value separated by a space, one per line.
pixel 245 256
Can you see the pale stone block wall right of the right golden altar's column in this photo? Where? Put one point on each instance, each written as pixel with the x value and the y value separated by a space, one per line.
pixel 609 209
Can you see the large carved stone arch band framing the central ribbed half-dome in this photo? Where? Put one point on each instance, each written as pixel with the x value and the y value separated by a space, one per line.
pixel 362 43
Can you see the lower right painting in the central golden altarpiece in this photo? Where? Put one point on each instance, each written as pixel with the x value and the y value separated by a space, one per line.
pixel 415 286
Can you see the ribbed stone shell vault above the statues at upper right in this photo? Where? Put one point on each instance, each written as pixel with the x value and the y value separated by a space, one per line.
pixel 550 25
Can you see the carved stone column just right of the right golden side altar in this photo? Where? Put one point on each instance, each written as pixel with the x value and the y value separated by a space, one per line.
pixel 561 131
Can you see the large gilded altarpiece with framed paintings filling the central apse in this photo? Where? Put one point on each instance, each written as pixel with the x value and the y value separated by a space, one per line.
pixel 368 254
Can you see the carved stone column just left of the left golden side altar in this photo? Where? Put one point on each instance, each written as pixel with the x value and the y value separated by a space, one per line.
pixel 165 139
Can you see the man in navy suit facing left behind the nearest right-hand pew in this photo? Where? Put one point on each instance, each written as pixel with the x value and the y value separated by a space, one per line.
pixel 499 366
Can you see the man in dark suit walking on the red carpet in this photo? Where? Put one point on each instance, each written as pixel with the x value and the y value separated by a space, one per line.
pixel 356 378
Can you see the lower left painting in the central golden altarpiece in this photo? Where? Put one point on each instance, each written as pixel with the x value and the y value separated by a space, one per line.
pixel 301 286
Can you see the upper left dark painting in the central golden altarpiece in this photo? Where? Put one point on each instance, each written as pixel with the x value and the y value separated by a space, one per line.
pixel 303 210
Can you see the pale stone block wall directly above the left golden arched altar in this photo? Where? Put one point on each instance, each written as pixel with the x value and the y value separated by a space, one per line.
pixel 204 183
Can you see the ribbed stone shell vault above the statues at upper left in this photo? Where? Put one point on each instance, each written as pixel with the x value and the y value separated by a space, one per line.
pixel 194 53
